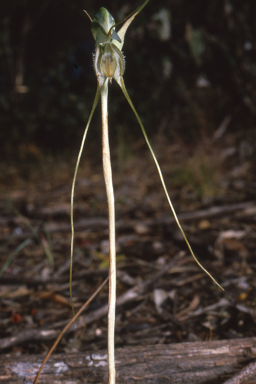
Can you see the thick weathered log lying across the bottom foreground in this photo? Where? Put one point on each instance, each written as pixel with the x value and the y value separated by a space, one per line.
pixel 187 363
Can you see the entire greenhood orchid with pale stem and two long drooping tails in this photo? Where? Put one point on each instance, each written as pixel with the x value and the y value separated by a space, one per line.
pixel 109 64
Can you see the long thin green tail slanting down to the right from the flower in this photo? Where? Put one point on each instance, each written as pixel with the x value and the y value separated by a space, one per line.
pixel 122 85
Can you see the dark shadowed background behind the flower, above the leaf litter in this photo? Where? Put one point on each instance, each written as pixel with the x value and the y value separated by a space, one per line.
pixel 189 65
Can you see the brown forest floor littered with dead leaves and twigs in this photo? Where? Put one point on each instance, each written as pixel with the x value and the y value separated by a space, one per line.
pixel 163 296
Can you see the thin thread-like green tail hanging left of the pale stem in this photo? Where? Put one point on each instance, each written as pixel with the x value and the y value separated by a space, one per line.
pixel 96 99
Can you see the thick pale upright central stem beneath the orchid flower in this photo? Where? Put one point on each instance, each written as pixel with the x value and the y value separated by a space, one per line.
pixel 112 247
